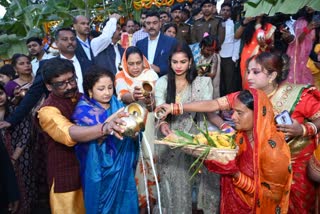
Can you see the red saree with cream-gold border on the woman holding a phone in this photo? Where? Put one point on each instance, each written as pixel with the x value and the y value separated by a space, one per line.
pixel 302 102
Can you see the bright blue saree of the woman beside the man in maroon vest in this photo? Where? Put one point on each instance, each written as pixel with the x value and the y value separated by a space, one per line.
pixel 107 165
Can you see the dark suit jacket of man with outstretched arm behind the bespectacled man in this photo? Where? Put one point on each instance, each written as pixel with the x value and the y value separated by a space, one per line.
pixel 36 91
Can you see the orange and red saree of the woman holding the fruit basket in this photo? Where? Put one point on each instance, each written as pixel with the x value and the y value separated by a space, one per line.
pixel 266 166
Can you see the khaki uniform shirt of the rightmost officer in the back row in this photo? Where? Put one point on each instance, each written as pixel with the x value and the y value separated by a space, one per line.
pixel 214 26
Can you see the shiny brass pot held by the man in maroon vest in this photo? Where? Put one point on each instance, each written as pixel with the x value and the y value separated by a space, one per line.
pixel 135 121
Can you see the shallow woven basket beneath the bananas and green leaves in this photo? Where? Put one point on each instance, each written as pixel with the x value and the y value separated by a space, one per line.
pixel 217 154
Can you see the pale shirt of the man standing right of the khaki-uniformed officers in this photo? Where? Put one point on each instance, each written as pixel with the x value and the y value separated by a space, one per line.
pixel 230 46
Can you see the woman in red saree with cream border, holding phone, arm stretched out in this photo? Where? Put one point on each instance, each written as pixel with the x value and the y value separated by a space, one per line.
pixel 268 71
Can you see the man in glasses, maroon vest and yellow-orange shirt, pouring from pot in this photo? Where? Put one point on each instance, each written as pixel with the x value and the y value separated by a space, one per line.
pixel 63 168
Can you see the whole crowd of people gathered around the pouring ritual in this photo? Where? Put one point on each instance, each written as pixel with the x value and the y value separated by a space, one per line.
pixel 62 118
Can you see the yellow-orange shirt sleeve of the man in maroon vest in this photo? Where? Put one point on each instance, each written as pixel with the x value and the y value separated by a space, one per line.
pixel 56 125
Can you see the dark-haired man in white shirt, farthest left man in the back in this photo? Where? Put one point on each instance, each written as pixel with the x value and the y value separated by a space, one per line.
pixel 36 50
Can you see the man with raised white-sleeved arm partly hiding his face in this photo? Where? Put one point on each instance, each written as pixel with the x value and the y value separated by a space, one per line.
pixel 106 50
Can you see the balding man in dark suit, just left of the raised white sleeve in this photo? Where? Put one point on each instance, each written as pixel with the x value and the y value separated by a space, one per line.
pixel 82 28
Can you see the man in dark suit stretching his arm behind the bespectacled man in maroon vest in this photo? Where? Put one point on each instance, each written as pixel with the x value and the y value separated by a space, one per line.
pixel 66 42
